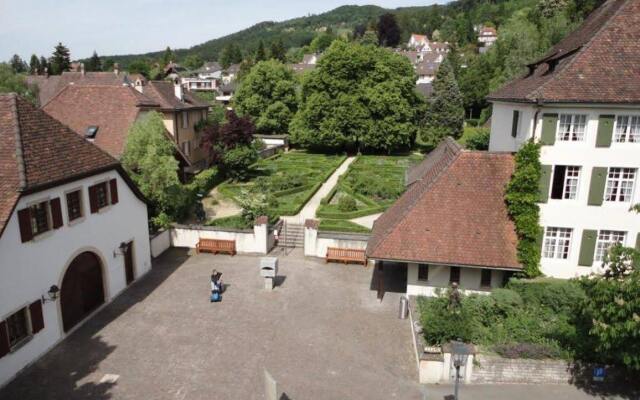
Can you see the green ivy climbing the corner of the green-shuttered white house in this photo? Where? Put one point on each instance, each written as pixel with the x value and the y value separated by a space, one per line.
pixel 522 204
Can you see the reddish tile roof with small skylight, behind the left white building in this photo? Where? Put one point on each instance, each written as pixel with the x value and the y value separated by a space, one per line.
pixel 113 109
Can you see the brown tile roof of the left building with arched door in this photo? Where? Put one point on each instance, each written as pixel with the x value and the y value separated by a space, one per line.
pixel 37 152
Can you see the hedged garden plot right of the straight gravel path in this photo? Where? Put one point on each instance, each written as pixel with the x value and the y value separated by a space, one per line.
pixel 370 186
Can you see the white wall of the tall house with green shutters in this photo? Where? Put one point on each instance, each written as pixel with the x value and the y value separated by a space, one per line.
pixel 576 213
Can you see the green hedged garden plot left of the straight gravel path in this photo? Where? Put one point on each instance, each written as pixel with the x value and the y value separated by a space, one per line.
pixel 291 178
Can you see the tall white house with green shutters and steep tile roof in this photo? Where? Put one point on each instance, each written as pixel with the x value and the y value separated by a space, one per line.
pixel 581 102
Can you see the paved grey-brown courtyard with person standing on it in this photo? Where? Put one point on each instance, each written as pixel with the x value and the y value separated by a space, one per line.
pixel 322 334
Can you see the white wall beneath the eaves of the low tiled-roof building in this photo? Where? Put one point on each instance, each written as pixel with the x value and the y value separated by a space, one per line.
pixel 439 278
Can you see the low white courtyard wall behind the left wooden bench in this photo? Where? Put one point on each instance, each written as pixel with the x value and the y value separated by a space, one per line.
pixel 258 240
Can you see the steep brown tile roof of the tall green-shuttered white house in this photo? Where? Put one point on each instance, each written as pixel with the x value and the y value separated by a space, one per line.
pixel 597 63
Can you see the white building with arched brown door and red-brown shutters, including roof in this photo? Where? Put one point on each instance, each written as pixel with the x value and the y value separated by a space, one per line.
pixel 73 232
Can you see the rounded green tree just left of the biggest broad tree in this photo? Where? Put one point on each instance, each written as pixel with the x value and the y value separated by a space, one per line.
pixel 268 95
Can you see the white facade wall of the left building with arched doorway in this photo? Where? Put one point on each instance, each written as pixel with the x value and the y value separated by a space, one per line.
pixel 27 270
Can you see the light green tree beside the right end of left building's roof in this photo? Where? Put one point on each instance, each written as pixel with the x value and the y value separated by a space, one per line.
pixel 149 159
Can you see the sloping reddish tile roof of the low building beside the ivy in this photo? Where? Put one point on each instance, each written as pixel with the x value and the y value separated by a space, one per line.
pixel 453 214
